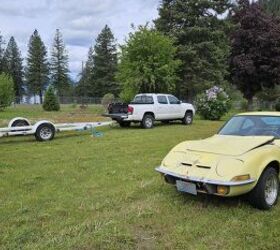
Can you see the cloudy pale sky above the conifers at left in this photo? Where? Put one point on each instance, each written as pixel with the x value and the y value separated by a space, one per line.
pixel 79 20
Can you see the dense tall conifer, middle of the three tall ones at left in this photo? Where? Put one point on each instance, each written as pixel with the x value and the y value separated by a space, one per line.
pixel 37 68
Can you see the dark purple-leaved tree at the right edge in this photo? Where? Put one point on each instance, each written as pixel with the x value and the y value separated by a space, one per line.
pixel 255 54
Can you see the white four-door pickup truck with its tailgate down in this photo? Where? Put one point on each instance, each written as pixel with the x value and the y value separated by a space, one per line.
pixel 148 108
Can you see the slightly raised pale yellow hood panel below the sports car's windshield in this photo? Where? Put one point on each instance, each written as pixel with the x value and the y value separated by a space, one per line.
pixel 228 145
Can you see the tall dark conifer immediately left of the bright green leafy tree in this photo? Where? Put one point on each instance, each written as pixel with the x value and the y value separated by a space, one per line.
pixel 105 64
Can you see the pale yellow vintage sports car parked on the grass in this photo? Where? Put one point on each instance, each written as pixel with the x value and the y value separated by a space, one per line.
pixel 244 157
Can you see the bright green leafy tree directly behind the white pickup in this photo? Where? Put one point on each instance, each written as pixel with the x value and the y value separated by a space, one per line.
pixel 147 63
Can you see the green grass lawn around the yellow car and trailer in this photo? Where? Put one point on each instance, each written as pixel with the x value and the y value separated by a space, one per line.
pixel 78 192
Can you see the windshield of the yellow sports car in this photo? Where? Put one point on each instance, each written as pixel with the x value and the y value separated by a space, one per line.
pixel 249 125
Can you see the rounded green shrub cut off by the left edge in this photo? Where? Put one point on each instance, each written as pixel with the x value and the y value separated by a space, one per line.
pixel 7 94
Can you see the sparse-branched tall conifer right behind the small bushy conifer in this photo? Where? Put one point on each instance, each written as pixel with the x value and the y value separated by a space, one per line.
pixel 59 66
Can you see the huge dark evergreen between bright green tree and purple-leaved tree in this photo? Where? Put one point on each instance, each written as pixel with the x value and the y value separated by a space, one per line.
pixel 199 33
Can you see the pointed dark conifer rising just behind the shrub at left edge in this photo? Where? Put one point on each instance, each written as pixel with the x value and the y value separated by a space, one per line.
pixel 12 65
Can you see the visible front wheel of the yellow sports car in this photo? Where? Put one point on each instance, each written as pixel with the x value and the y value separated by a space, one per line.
pixel 265 194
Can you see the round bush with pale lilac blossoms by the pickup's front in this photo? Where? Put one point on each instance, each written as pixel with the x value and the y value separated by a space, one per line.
pixel 213 103
